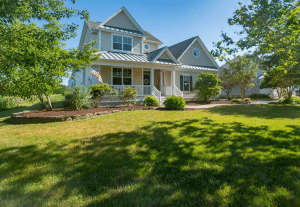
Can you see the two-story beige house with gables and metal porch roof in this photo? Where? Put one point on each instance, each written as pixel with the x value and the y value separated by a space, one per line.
pixel 132 57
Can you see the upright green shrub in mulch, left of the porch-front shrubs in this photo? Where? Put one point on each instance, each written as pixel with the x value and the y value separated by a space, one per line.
pixel 79 98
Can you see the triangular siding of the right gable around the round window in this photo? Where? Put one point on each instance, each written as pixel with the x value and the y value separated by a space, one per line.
pixel 189 59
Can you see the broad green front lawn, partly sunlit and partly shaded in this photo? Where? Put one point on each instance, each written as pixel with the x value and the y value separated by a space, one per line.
pixel 225 156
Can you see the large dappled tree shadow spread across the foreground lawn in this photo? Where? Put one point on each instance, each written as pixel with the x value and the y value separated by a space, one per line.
pixel 163 169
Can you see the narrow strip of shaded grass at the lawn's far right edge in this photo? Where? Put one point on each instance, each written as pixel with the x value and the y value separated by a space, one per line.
pixel 262 111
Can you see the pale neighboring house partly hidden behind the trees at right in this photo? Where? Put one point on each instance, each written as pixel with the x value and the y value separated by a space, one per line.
pixel 255 89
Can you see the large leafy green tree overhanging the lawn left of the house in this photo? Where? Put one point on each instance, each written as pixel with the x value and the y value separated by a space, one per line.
pixel 32 58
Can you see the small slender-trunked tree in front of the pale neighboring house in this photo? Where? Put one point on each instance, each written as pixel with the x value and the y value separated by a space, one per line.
pixel 243 70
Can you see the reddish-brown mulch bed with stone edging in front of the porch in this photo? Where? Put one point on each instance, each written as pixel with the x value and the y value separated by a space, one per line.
pixel 71 112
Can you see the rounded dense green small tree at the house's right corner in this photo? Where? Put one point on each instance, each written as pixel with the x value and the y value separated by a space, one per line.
pixel 209 86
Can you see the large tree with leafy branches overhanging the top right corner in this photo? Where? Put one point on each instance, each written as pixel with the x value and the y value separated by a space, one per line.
pixel 271 28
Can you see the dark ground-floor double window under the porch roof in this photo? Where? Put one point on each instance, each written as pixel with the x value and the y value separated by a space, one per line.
pixel 122 76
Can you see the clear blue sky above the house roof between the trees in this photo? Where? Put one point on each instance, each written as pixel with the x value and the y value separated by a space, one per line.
pixel 169 21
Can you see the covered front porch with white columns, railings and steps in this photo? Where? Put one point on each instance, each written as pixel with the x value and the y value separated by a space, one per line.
pixel 159 83
